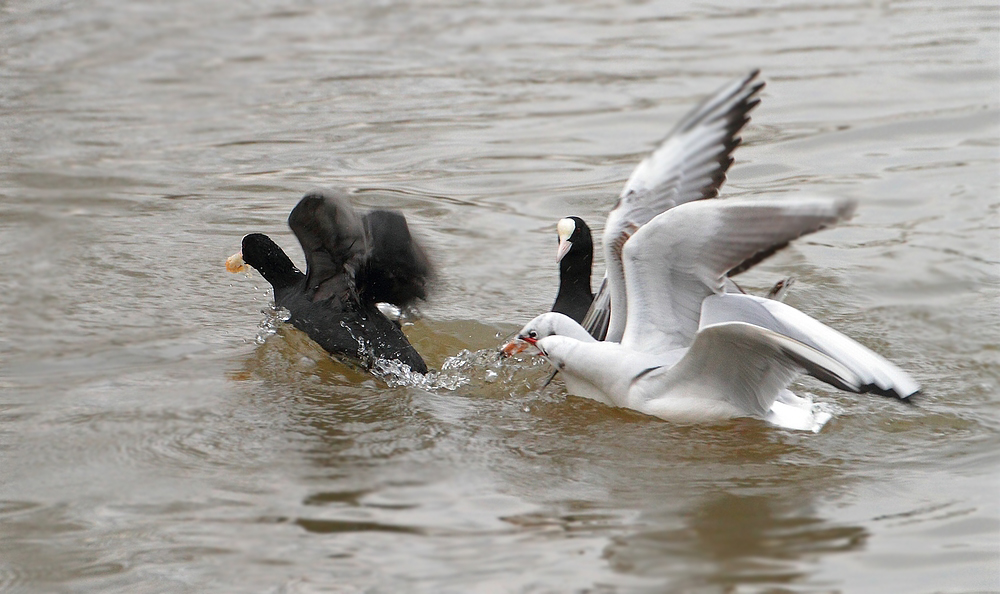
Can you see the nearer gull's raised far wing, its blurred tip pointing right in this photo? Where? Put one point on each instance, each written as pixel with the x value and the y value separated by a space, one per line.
pixel 683 255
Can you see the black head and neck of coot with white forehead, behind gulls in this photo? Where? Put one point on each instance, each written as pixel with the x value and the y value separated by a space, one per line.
pixel 575 296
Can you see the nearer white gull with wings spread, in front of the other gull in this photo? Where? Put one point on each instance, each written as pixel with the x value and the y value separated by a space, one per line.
pixel 691 351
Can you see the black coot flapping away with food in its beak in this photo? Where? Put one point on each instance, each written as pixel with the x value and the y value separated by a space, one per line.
pixel 352 263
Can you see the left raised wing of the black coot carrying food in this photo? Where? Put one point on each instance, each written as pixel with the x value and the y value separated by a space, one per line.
pixel 333 239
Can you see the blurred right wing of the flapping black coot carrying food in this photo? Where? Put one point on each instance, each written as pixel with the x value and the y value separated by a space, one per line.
pixel 395 269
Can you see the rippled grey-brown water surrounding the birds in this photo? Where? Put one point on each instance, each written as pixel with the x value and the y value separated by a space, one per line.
pixel 150 443
